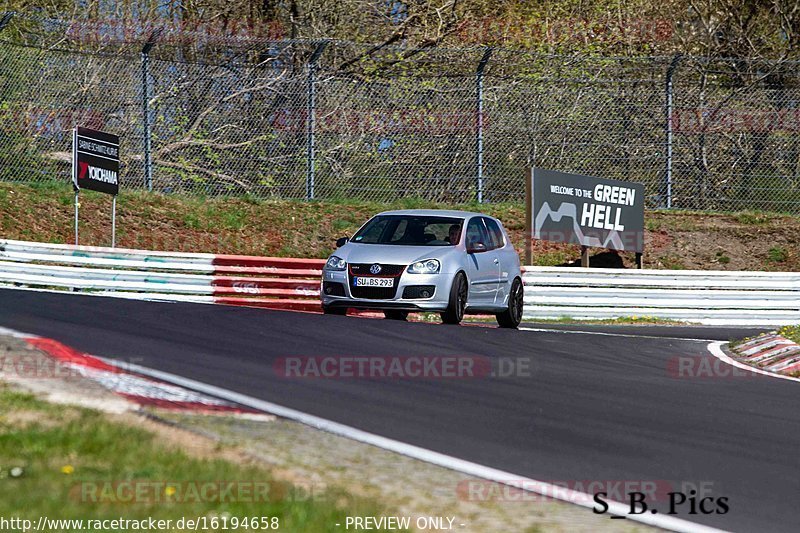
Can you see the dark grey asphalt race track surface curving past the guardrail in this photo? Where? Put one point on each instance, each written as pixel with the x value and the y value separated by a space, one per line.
pixel 595 407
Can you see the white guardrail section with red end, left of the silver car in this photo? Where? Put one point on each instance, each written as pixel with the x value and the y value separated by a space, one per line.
pixel 273 282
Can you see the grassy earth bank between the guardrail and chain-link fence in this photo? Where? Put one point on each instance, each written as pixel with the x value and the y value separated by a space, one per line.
pixel 251 225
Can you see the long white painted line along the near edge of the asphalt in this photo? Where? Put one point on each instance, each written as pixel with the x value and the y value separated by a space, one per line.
pixel 453 463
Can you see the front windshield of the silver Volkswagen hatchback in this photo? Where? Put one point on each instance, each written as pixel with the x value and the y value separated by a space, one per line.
pixel 411 230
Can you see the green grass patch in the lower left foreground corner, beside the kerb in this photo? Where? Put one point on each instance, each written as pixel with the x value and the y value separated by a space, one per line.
pixel 66 453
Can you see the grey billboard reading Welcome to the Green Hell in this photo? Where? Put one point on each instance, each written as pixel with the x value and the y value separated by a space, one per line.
pixel 577 209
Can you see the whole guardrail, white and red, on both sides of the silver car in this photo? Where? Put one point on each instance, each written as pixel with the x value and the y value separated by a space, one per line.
pixel 708 297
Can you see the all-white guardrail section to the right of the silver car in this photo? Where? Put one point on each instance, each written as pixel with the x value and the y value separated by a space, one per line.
pixel 708 297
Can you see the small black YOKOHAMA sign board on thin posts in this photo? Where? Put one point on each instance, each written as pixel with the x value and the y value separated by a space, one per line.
pixel 95 160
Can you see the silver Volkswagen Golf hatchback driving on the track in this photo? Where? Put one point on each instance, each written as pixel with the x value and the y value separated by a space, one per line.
pixel 451 262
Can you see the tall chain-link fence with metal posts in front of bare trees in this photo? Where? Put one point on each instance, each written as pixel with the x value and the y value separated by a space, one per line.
pixel 329 120
